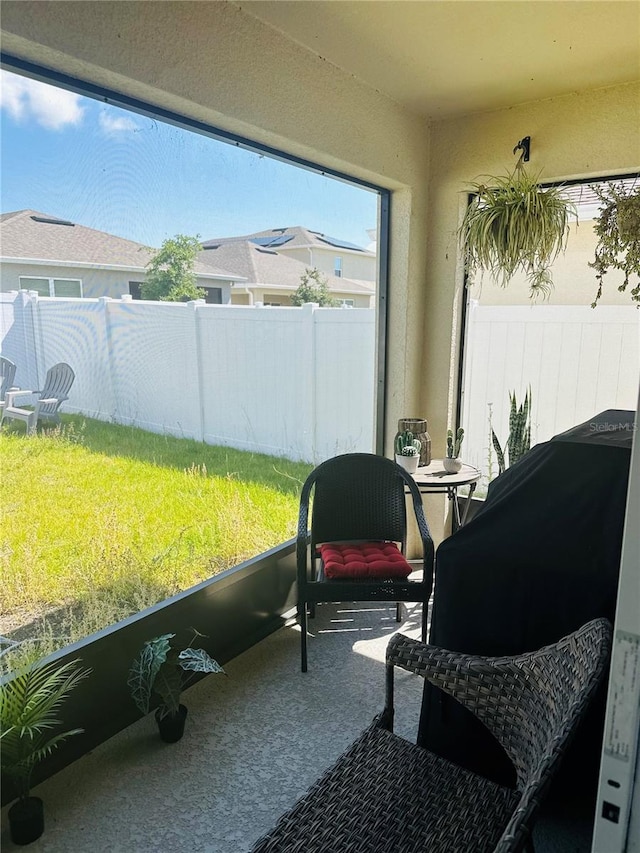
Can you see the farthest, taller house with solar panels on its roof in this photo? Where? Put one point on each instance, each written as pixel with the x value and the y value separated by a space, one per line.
pixel 331 256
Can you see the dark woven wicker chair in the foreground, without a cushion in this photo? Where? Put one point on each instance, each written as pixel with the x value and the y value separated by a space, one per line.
pixel 386 795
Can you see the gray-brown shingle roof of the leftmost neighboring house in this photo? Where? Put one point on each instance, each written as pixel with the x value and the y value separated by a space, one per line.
pixel 29 234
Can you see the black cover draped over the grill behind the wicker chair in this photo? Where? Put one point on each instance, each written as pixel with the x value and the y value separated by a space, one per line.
pixel 538 560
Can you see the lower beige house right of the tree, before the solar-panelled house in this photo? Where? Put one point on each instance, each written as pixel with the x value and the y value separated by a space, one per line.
pixel 272 277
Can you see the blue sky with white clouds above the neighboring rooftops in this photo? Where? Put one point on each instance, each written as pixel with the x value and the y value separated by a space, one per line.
pixel 120 172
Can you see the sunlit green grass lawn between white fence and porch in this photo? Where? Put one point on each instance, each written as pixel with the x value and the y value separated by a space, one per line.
pixel 101 520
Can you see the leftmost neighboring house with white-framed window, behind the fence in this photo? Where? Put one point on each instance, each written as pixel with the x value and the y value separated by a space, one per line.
pixel 56 257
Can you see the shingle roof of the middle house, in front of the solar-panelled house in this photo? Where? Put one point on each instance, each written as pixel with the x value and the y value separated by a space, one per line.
pixel 263 266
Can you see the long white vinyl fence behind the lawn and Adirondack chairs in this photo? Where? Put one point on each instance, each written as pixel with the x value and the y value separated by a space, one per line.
pixel 292 382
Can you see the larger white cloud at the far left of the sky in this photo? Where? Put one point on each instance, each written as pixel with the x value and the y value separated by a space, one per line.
pixel 51 107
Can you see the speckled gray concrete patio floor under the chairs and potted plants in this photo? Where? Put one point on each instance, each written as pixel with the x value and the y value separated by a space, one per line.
pixel 254 742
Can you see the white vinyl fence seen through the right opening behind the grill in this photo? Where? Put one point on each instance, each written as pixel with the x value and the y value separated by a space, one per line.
pixel 578 361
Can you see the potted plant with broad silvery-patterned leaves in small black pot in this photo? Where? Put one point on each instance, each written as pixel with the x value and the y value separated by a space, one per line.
pixel 159 670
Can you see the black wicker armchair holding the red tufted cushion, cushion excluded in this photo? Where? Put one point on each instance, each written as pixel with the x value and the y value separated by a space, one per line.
pixel 358 498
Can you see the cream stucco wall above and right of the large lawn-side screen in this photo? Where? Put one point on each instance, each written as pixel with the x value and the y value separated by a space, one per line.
pixel 250 80
